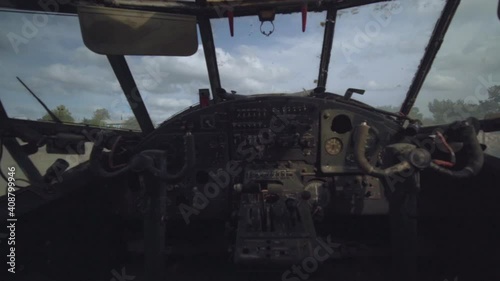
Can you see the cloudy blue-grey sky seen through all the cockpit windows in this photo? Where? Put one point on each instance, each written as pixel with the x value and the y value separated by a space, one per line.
pixel 377 48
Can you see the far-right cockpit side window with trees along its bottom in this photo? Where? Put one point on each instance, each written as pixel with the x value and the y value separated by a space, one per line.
pixel 465 78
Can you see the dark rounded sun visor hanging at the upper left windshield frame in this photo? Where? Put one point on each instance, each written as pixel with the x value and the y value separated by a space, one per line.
pixel 111 31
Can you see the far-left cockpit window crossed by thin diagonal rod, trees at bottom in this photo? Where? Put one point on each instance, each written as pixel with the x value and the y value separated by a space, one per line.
pixel 47 53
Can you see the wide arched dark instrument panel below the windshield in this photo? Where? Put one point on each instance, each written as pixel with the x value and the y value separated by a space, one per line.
pixel 275 128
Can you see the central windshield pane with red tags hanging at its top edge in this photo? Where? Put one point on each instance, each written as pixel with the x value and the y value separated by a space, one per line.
pixel 286 61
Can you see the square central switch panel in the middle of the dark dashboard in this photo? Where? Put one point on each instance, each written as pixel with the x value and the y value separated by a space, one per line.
pixel 275 131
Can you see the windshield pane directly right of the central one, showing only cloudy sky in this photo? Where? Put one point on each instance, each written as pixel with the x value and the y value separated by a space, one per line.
pixel 378 47
